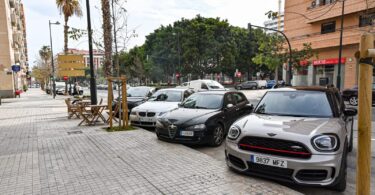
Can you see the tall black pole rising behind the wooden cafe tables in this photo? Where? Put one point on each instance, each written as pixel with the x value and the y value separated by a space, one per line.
pixel 93 91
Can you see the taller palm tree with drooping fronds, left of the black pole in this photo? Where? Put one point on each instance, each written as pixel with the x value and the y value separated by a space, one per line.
pixel 68 8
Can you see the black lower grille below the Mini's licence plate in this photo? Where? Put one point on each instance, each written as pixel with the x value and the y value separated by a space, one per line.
pixel 283 174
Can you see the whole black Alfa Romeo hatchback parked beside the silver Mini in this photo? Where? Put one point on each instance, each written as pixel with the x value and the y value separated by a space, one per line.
pixel 203 118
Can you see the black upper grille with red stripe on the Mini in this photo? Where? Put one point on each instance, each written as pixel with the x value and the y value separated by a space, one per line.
pixel 275 147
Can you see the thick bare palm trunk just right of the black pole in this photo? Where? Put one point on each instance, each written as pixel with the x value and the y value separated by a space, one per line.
pixel 107 33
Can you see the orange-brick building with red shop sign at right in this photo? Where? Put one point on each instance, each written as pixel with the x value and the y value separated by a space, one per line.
pixel 318 22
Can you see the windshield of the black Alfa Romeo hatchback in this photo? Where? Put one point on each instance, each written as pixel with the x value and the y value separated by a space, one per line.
pixel 203 101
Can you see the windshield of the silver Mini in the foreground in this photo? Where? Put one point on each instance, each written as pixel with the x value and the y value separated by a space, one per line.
pixel 295 103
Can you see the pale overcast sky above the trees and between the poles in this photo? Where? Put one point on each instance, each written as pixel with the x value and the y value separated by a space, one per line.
pixel 143 15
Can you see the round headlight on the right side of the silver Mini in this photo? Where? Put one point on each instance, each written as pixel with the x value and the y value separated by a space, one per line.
pixel 326 143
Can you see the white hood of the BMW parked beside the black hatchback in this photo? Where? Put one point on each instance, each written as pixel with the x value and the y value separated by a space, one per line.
pixel 153 106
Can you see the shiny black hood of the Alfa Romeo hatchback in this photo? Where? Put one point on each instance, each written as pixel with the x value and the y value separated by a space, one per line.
pixel 186 117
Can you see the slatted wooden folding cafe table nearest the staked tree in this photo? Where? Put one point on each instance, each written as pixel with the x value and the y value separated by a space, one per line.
pixel 91 117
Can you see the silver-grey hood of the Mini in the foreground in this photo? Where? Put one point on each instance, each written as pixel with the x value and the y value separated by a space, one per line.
pixel 260 125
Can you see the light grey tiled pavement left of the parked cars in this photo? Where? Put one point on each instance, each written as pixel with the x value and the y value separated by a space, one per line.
pixel 42 152
